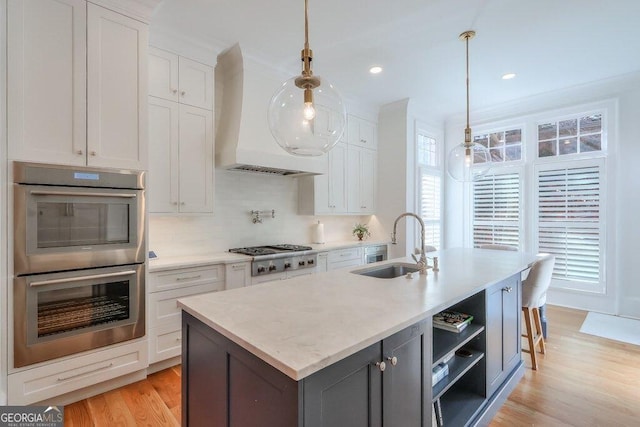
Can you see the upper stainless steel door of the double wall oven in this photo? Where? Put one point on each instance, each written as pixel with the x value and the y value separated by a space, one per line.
pixel 64 228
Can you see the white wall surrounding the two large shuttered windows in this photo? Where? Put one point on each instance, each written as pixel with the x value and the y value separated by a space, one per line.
pixel 623 204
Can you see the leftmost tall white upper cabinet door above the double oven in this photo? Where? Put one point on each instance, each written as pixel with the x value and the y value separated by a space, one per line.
pixel 46 88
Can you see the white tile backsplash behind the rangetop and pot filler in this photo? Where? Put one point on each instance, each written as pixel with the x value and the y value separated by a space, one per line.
pixel 230 226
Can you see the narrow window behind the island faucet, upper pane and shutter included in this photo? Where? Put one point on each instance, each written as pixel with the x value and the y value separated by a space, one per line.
pixel 429 187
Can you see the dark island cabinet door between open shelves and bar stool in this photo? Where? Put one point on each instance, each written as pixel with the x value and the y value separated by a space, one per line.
pixel 503 331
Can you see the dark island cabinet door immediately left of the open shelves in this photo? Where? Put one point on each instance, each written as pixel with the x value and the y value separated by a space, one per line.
pixel 406 386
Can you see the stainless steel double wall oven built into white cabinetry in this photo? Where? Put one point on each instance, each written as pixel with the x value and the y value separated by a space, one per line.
pixel 79 259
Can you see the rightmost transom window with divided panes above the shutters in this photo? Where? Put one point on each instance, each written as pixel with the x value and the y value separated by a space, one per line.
pixel 576 135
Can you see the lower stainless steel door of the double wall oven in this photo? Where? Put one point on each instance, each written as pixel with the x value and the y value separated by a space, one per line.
pixel 59 314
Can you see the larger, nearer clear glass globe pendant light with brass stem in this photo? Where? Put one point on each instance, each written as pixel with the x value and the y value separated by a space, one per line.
pixel 306 115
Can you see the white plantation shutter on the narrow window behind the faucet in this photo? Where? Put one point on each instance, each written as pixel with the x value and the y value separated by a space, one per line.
pixel 429 204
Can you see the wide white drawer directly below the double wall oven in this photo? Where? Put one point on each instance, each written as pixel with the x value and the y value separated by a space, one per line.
pixel 55 379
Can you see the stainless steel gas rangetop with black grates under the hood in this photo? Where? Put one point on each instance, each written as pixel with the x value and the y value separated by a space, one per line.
pixel 279 258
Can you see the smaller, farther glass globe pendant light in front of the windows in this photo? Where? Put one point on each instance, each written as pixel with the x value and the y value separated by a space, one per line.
pixel 468 161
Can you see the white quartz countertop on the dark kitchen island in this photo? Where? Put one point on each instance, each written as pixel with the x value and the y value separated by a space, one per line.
pixel 304 324
